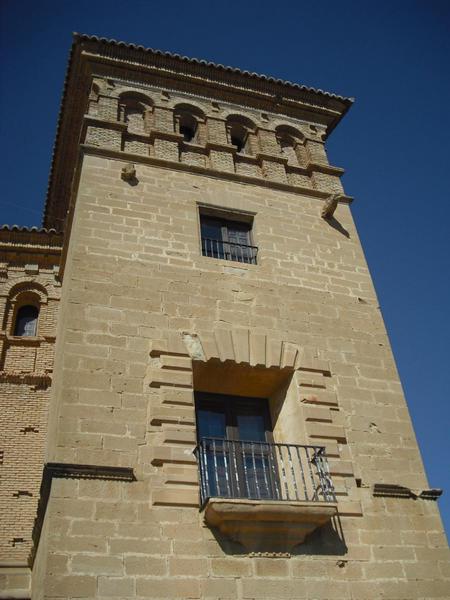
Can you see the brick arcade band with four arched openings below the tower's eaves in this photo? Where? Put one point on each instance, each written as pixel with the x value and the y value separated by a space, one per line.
pixel 213 149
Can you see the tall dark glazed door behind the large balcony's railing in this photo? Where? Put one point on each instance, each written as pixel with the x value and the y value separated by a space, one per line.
pixel 235 436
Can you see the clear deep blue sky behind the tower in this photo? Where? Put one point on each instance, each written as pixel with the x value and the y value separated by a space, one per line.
pixel 393 57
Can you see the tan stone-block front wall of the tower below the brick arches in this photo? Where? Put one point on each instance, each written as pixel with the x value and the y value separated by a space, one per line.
pixel 135 286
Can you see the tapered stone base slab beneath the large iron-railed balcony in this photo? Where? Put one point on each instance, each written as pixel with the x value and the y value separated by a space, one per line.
pixel 267 525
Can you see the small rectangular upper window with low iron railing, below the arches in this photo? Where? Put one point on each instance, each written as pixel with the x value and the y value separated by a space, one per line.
pixel 226 239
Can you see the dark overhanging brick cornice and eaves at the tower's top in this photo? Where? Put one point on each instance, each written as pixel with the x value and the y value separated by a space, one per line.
pixel 89 53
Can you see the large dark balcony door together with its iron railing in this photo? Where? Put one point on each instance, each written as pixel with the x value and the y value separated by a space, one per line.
pixel 238 458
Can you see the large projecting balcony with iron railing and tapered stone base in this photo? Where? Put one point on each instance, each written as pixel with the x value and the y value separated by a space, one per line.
pixel 267 497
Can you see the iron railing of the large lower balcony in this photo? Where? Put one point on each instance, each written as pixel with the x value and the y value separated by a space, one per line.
pixel 263 471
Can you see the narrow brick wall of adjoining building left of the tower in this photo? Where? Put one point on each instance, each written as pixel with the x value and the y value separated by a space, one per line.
pixel 29 274
